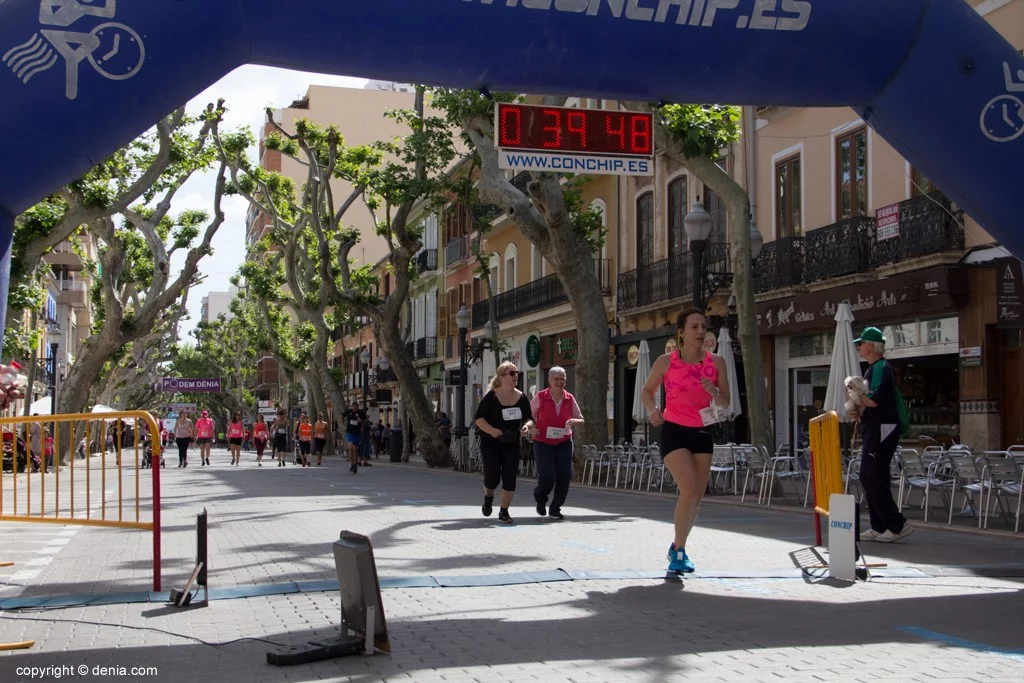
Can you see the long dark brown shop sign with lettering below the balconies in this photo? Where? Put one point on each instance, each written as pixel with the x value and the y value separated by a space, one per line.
pixel 884 301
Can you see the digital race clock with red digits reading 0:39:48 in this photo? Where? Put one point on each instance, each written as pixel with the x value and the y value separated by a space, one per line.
pixel 573 131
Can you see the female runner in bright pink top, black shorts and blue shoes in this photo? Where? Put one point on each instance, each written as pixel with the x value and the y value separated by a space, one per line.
pixel 693 379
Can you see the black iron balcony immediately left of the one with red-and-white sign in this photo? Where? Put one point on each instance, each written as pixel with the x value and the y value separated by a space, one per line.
pixel 837 250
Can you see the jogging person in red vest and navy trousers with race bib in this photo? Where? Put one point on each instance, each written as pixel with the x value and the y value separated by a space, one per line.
pixel 556 414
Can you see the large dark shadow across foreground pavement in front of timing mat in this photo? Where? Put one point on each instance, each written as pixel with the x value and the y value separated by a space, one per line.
pixel 657 623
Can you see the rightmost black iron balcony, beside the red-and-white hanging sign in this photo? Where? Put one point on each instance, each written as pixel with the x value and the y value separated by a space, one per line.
pixel 928 225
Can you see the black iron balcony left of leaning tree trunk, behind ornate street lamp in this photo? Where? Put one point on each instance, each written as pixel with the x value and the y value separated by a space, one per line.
pixel 667 280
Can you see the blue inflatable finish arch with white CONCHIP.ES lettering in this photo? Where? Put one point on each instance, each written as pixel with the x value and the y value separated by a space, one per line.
pixel 81 78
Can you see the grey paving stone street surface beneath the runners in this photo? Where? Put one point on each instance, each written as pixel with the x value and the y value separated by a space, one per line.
pixel 952 609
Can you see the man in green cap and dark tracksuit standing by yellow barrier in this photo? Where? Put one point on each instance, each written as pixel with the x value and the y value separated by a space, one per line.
pixel 880 430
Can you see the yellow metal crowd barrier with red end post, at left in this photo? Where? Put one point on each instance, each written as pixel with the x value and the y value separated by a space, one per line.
pixel 44 481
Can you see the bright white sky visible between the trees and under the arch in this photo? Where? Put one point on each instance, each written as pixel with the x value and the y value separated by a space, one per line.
pixel 247 92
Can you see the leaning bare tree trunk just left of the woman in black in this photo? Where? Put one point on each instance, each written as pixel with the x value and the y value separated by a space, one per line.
pixel 417 406
